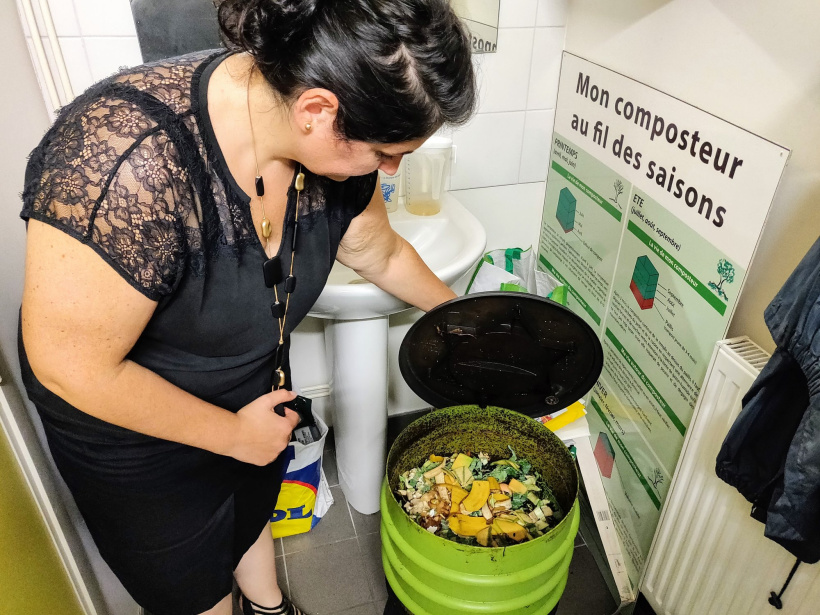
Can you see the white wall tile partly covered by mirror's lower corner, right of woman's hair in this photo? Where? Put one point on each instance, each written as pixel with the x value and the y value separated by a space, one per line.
pixel 504 76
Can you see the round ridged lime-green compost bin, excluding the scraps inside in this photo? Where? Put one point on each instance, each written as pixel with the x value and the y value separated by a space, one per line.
pixel 431 575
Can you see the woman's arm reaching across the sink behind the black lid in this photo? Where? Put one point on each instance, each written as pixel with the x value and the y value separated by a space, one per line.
pixel 377 253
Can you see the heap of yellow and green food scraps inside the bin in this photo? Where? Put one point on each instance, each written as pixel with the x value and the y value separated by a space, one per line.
pixel 479 501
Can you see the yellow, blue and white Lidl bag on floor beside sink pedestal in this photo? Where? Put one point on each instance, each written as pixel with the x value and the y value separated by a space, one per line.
pixel 305 496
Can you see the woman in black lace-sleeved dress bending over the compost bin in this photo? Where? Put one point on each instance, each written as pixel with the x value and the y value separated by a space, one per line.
pixel 171 210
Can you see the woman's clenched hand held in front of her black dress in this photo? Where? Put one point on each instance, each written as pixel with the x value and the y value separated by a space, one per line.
pixel 263 434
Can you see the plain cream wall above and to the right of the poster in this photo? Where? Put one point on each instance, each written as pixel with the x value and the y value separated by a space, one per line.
pixel 754 63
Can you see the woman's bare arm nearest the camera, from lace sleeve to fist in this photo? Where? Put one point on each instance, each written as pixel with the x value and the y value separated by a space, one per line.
pixel 80 319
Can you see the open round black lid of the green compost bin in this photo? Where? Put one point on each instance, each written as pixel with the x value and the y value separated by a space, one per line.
pixel 506 349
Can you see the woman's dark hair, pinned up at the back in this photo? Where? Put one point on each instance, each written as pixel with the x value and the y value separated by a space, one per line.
pixel 400 68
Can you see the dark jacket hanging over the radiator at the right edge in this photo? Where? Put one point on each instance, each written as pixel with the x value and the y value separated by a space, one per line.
pixel 772 452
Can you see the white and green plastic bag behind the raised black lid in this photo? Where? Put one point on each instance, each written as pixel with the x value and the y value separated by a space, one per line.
pixel 514 270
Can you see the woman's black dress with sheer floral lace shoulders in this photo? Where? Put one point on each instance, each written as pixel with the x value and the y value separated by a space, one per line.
pixel 132 169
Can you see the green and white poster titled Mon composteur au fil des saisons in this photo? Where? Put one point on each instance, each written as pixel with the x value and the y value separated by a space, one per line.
pixel 652 214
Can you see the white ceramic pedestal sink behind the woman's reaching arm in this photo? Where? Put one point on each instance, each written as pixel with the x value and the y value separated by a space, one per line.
pixel 450 242
